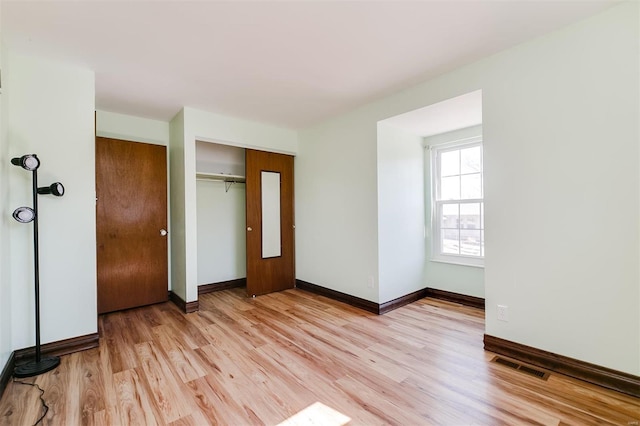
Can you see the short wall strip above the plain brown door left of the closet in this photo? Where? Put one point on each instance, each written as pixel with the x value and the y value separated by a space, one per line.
pixel 131 128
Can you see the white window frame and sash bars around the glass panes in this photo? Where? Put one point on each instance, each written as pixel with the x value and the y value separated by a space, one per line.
pixel 436 203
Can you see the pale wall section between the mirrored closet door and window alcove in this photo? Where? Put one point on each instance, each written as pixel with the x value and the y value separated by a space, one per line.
pixel 336 206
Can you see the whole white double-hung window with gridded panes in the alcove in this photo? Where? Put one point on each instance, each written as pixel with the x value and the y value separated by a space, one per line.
pixel 458 205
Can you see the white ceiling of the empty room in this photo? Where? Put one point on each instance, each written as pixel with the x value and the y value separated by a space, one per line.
pixel 289 63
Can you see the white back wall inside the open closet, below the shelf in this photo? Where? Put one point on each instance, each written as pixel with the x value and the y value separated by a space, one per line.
pixel 222 252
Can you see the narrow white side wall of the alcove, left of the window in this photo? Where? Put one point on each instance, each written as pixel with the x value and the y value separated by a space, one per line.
pixel 401 217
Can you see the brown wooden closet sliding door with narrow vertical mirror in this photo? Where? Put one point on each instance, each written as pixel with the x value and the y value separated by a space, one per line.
pixel 269 269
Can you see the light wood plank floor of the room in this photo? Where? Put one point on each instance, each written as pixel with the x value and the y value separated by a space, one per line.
pixel 261 361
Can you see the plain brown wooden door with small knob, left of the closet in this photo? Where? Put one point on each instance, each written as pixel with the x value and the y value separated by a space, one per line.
pixel 131 218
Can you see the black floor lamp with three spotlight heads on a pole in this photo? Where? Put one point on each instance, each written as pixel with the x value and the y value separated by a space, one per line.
pixel 30 162
